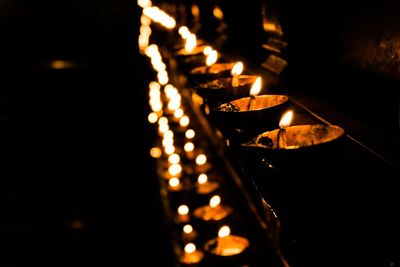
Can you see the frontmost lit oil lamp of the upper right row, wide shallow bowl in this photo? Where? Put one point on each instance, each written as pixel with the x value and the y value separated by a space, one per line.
pixel 296 139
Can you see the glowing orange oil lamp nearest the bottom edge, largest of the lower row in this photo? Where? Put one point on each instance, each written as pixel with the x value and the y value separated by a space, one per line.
pixel 226 247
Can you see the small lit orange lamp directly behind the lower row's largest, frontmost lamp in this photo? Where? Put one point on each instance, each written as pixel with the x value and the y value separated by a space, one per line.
pixel 214 211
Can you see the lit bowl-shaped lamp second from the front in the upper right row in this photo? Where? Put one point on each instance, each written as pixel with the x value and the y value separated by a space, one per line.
pixel 252 113
